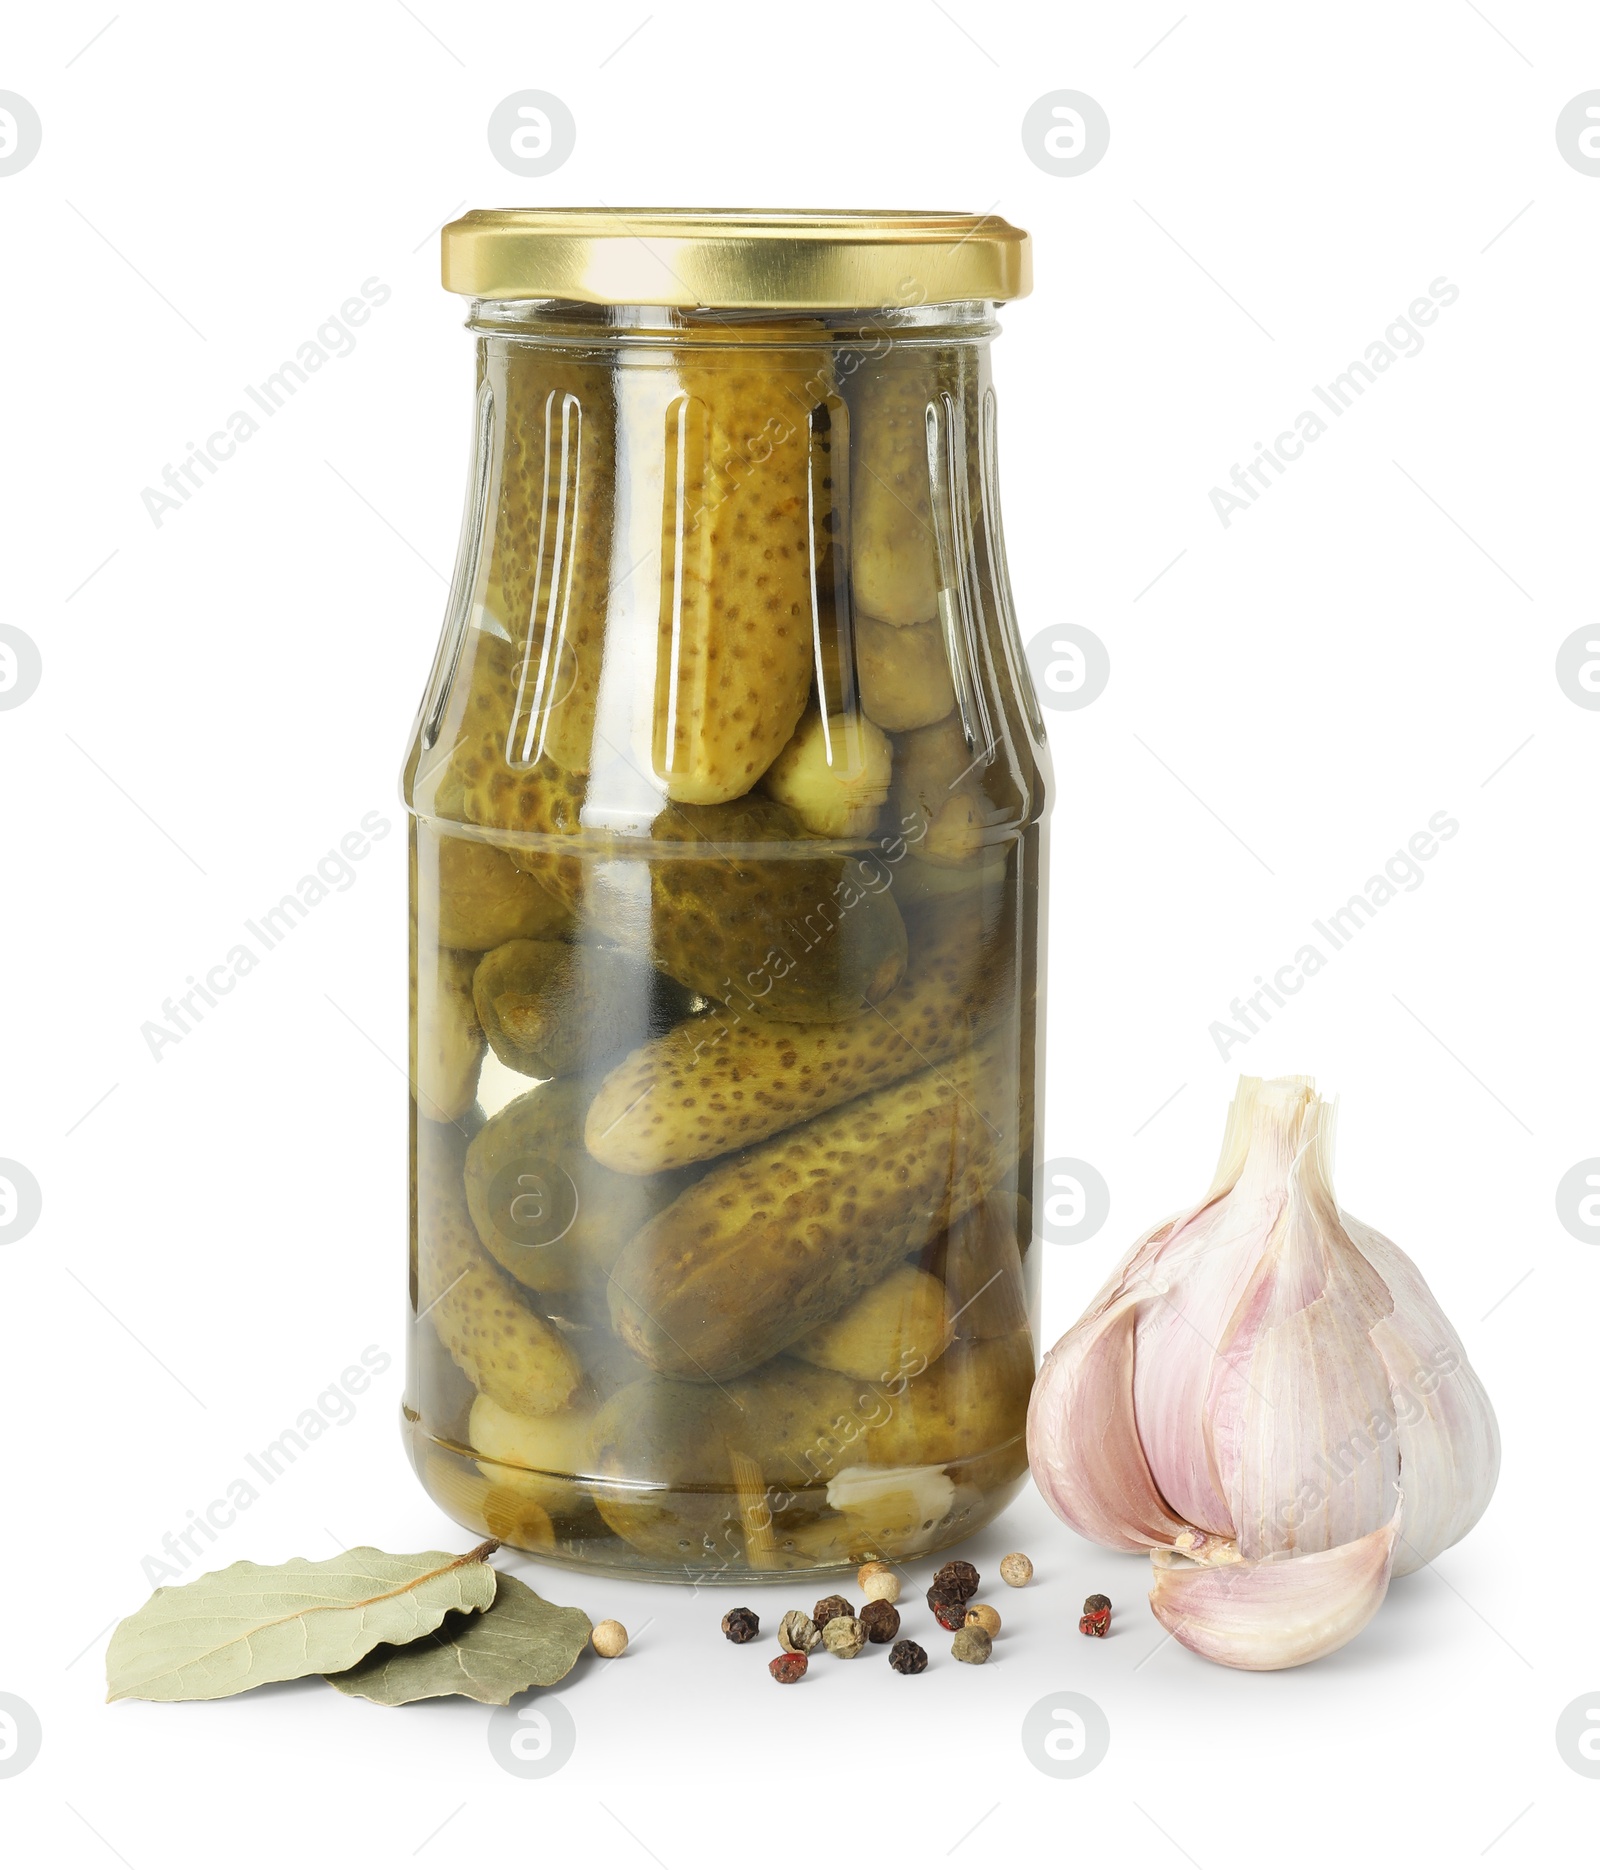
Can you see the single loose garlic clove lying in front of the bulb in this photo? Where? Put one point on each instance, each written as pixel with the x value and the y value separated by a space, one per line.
pixel 1276 1613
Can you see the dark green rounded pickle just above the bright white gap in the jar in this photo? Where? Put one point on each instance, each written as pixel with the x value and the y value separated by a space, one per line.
pixel 552 1007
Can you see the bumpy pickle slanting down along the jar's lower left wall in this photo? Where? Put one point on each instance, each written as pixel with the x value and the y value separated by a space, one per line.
pixel 506 1349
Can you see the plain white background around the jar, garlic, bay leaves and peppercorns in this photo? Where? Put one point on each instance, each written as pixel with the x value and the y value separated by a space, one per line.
pixel 227 695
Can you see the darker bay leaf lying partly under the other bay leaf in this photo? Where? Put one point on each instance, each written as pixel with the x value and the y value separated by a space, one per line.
pixel 519 1643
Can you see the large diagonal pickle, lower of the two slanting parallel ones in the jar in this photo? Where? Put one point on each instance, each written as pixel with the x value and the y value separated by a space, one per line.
pixel 788 1235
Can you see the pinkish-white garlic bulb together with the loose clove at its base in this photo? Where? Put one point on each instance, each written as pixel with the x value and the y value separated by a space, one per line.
pixel 1268 1400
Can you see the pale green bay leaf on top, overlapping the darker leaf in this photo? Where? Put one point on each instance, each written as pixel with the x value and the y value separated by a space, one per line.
pixel 250 1624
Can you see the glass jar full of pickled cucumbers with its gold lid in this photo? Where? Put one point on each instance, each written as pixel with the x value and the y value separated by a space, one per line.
pixel 726 807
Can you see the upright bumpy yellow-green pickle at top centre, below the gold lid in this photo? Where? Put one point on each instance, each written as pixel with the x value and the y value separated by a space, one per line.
pixel 734 665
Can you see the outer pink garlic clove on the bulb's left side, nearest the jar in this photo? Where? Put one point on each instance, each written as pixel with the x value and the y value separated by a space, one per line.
pixel 1083 1400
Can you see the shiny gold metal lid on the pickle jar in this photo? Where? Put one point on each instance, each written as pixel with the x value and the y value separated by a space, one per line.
pixel 737 257
